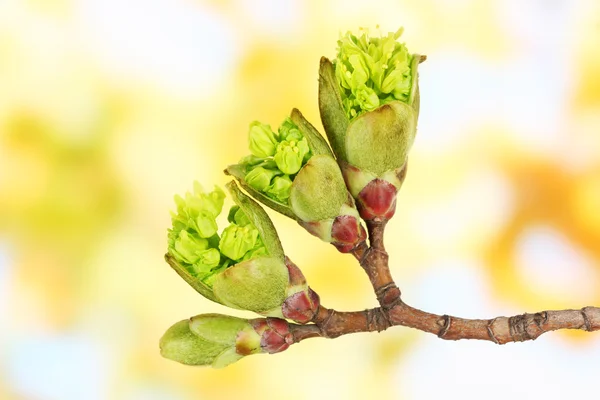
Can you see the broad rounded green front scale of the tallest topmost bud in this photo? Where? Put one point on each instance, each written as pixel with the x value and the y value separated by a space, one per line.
pixel 379 140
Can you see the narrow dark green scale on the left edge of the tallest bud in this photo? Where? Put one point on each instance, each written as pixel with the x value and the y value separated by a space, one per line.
pixel 331 108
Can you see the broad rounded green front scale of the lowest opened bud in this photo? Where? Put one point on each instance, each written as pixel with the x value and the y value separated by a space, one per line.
pixel 257 285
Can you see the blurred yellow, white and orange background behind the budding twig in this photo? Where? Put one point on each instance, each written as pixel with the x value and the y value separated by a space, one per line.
pixel 108 108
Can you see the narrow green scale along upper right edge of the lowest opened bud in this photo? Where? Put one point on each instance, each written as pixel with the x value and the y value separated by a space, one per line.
pixel 259 218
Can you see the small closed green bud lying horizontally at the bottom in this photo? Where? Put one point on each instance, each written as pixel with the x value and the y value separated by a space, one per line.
pixel 219 340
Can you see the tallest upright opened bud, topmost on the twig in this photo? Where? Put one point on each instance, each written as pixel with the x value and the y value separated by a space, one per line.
pixel 369 103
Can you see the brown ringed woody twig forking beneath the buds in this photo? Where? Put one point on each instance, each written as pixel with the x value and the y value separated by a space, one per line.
pixel 393 311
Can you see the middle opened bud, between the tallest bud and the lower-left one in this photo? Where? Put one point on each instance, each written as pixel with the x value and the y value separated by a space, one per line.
pixel 306 185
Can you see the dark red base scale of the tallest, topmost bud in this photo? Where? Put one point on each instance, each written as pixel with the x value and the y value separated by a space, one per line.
pixel 377 200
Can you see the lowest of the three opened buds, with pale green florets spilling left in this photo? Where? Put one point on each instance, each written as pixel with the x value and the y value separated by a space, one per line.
pixel 244 267
